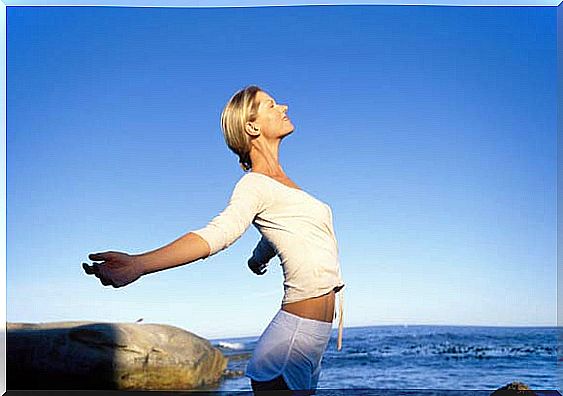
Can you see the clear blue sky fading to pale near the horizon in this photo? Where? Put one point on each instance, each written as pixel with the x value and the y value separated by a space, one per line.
pixel 431 132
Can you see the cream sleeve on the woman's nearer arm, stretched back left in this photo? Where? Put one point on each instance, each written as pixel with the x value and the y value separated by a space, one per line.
pixel 223 230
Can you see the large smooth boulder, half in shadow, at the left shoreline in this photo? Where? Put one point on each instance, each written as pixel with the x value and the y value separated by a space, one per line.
pixel 121 356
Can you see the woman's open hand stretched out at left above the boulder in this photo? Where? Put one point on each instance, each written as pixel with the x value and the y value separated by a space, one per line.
pixel 115 269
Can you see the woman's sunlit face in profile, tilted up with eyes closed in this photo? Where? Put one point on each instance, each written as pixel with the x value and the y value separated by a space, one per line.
pixel 272 120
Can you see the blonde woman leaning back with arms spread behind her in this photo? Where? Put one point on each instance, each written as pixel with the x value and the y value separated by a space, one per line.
pixel 294 225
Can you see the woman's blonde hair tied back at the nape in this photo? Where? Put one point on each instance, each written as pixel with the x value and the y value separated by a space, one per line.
pixel 241 108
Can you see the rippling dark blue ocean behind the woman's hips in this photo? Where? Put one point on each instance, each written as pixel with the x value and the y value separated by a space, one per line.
pixel 424 357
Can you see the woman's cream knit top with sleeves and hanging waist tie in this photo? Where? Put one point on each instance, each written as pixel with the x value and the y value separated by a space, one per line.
pixel 295 226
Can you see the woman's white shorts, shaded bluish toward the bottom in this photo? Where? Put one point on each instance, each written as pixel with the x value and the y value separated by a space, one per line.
pixel 293 347
